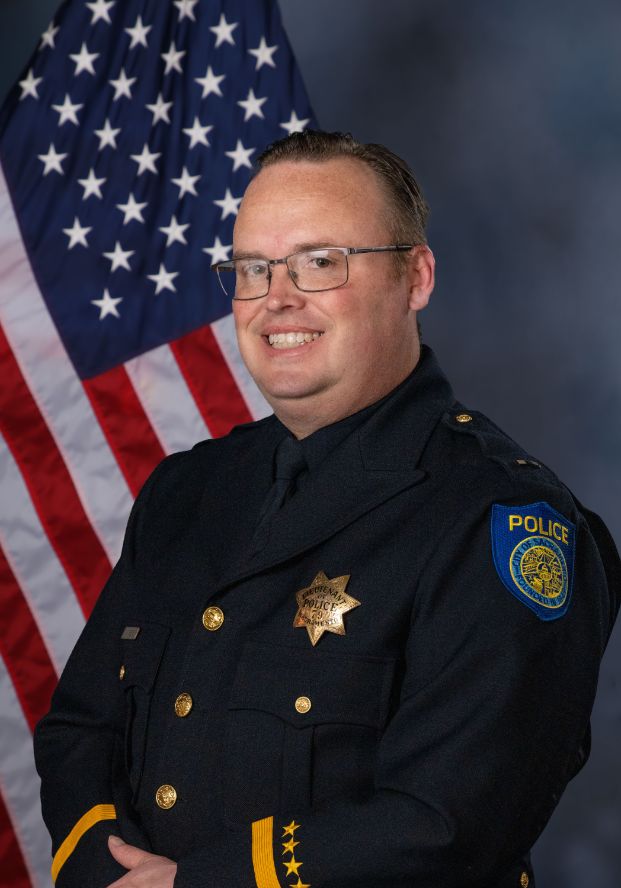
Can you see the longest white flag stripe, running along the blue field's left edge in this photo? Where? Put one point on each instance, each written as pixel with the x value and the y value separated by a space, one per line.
pixel 57 390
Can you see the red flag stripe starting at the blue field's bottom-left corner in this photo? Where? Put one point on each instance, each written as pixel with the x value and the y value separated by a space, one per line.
pixel 125 425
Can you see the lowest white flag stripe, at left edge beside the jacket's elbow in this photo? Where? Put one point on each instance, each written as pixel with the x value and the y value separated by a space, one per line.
pixel 19 784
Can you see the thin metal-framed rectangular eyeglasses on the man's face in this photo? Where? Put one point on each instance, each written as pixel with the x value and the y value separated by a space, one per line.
pixel 312 271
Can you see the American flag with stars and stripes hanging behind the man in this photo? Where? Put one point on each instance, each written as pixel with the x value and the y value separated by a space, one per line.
pixel 124 149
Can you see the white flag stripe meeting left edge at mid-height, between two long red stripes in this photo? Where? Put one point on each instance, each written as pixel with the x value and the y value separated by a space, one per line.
pixel 40 575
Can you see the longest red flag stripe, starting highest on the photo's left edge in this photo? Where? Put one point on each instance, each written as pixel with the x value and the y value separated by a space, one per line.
pixel 49 484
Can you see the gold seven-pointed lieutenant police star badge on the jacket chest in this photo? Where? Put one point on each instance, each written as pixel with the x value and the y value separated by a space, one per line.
pixel 321 606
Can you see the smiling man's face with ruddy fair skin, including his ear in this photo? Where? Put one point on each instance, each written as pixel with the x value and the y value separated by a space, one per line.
pixel 367 341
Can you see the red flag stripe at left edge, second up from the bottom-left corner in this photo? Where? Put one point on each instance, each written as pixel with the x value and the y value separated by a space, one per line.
pixel 23 649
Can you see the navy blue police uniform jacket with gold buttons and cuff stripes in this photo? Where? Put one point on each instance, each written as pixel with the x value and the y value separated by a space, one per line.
pixel 443 726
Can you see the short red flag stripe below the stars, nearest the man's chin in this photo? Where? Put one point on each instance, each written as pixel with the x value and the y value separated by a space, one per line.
pixel 209 379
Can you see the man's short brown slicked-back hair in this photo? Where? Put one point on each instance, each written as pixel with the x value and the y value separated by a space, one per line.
pixel 409 208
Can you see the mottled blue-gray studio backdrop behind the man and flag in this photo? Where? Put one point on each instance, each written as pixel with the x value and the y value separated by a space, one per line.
pixel 510 114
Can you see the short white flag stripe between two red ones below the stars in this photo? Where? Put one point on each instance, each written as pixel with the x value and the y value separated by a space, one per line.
pixel 166 399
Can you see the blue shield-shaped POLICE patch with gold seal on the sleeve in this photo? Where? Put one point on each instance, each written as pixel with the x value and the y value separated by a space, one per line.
pixel 534 549
